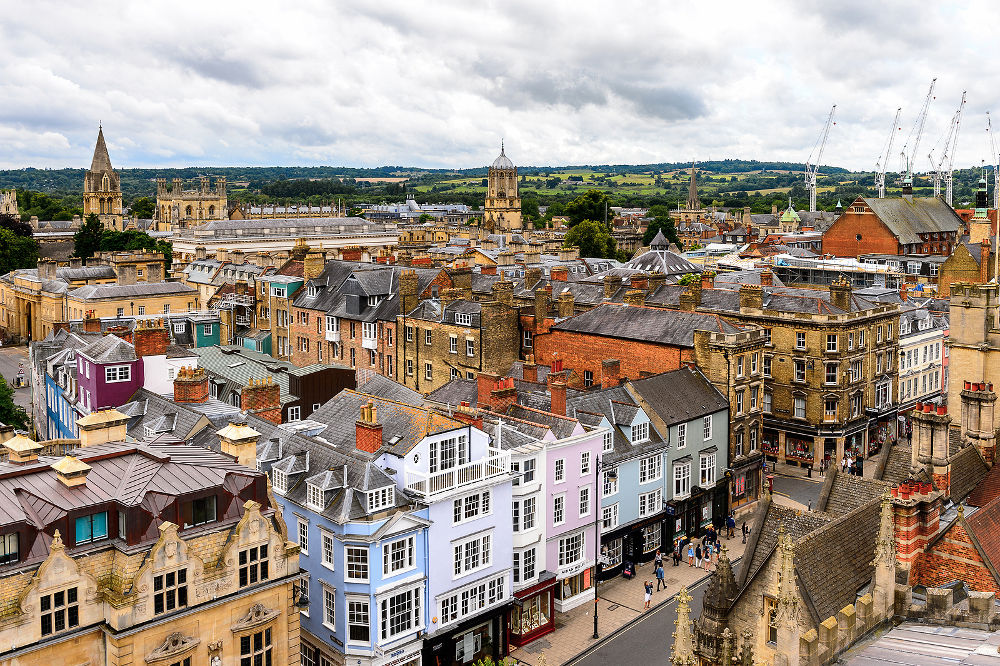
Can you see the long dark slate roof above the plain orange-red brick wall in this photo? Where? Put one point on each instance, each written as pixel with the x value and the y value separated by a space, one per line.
pixel 653 325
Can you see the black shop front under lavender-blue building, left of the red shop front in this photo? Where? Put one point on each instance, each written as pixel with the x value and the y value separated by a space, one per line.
pixel 479 637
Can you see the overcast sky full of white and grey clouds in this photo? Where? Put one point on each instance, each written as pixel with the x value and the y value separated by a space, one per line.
pixel 439 84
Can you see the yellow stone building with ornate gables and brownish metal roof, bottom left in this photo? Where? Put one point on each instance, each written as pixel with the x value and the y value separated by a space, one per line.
pixel 190 565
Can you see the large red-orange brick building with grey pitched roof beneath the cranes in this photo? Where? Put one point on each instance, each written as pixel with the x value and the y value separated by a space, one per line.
pixel 907 225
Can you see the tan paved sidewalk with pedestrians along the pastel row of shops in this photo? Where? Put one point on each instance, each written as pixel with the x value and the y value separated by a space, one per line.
pixel 621 602
